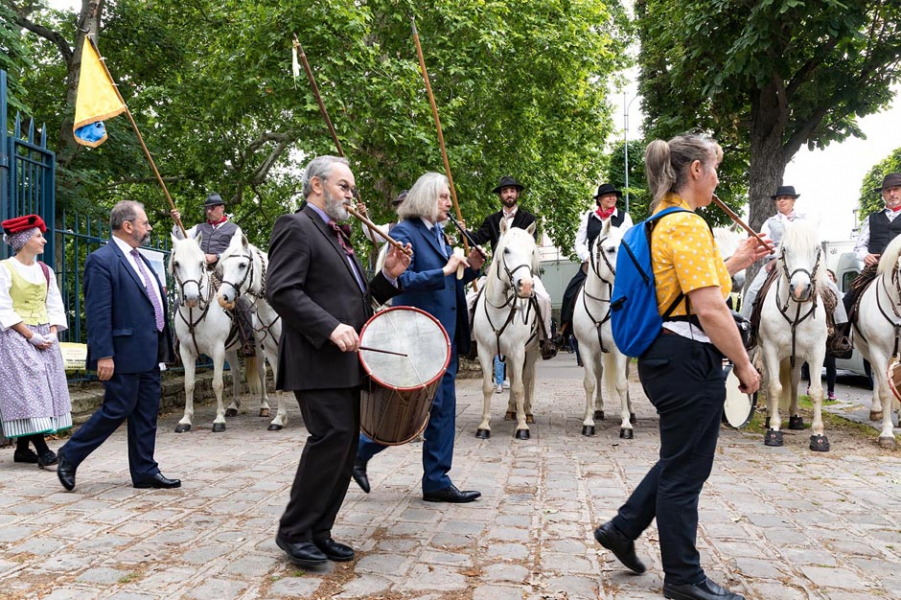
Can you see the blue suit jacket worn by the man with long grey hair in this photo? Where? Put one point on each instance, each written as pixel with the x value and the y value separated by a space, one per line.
pixel 425 285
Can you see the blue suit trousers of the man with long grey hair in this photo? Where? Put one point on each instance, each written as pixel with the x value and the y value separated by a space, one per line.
pixel 438 447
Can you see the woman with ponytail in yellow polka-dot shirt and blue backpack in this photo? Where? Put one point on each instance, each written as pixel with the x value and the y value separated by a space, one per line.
pixel 681 368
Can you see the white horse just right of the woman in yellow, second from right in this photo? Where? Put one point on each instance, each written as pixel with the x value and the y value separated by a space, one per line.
pixel 793 331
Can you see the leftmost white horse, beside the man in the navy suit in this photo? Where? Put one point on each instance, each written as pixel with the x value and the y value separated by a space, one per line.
pixel 202 327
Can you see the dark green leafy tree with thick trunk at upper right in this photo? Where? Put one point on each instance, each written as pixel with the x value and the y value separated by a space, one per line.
pixel 765 77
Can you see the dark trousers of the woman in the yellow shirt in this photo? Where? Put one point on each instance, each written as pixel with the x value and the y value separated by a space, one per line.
pixel 684 381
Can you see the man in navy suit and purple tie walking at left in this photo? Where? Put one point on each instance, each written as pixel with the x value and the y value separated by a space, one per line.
pixel 128 336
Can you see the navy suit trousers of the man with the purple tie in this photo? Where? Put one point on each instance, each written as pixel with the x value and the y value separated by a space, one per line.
pixel 132 396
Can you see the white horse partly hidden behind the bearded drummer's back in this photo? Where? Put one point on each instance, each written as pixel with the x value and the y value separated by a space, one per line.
pixel 243 268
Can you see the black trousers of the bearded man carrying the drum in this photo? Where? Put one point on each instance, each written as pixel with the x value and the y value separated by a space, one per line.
pixel 332 418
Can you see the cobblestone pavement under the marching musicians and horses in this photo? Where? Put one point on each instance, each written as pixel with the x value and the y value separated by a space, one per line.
pixel 775 523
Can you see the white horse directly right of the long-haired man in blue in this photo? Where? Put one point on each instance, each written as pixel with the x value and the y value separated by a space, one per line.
pixel 506 323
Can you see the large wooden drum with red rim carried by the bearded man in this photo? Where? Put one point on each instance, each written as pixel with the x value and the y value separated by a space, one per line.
pixel 398 390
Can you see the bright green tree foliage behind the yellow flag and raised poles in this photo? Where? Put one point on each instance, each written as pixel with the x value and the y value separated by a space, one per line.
pixel 520 86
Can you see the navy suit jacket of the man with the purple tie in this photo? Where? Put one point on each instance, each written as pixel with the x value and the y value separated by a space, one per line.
pixel 121 321
